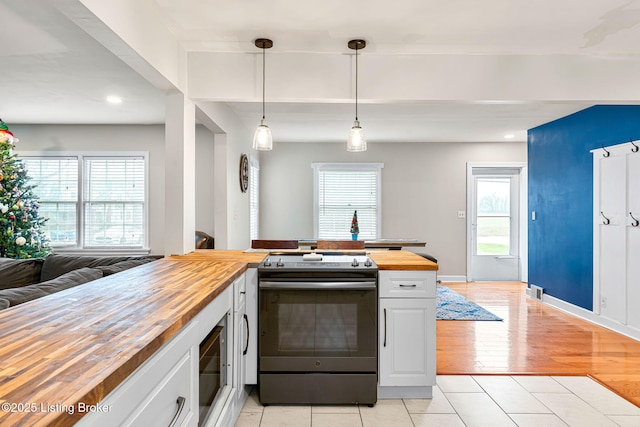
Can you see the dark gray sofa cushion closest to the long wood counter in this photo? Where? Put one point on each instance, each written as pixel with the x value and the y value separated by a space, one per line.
pixel 69 280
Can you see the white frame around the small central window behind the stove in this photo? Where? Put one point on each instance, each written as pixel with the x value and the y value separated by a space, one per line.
pixel 334 166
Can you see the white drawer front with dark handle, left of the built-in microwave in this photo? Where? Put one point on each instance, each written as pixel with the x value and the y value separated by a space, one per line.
pixel 163 403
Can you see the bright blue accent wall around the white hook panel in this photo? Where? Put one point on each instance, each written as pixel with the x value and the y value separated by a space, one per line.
pixel 561 194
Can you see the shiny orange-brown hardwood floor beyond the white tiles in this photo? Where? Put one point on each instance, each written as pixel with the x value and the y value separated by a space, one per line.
pixel 534 339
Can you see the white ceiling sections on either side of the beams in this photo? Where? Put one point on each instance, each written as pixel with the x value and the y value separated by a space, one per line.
pixel 55 73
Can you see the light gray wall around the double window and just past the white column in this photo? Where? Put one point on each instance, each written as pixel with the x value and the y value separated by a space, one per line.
pixel 51 138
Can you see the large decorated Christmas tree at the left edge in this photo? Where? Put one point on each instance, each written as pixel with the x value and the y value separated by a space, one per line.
pixel 21 234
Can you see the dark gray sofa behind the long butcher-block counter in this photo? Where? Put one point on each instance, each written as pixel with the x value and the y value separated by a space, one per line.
pixel 23 280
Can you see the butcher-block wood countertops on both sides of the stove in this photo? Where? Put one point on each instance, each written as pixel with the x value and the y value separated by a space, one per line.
pixel 62 355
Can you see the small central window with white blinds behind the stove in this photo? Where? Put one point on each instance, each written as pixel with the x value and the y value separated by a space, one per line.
pixel 339 190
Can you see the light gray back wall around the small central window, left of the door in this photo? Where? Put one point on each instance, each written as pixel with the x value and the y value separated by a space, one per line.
pixel 423 188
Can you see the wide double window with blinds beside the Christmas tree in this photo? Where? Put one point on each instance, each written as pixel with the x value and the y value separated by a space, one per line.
pixel 92 201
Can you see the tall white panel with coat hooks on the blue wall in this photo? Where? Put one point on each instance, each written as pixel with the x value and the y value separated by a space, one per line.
pixel 616 231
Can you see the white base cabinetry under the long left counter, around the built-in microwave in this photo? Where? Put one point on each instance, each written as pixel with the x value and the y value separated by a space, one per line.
pixel 166 386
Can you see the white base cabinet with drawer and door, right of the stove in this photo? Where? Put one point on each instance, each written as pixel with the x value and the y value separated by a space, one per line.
pixel 407 334
